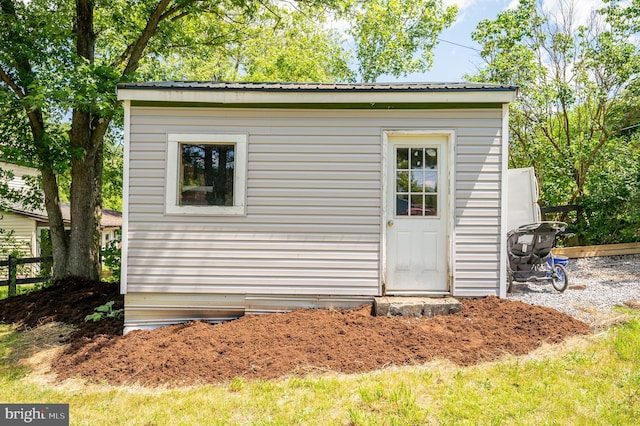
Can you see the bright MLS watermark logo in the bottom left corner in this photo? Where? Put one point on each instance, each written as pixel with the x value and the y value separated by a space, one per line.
pixel 34 414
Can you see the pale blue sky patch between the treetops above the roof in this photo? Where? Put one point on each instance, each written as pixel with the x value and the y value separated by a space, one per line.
pixel 453 61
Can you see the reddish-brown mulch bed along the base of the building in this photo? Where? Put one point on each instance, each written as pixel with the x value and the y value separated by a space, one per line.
pixel 274 345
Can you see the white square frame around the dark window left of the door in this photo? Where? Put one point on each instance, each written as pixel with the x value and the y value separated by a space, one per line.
pixel 172 187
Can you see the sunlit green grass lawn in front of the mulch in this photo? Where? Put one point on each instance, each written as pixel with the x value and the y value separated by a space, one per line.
pixel 585 381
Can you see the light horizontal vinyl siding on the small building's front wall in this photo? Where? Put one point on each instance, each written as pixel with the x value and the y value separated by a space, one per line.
pixel 313 214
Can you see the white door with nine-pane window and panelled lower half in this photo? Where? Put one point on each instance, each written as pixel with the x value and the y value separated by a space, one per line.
pixel 417 214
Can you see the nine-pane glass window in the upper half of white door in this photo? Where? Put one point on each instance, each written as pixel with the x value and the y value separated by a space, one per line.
pixel 416 181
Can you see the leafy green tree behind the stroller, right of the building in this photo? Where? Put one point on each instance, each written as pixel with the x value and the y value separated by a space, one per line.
pixel 574 77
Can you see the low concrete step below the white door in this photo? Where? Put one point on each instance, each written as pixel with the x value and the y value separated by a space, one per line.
pixel 415 306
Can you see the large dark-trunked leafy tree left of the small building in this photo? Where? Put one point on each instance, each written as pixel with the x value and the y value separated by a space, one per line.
pixel 60 62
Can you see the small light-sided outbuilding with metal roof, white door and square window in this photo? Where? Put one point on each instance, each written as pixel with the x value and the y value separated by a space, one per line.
pixel 262 197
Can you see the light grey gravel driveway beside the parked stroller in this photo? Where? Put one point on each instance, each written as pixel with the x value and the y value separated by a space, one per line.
pixel 596 285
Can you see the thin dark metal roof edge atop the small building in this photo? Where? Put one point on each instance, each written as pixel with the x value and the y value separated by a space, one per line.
pixel 317 87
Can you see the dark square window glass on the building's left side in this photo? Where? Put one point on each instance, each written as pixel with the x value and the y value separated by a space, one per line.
pixel 206 174
